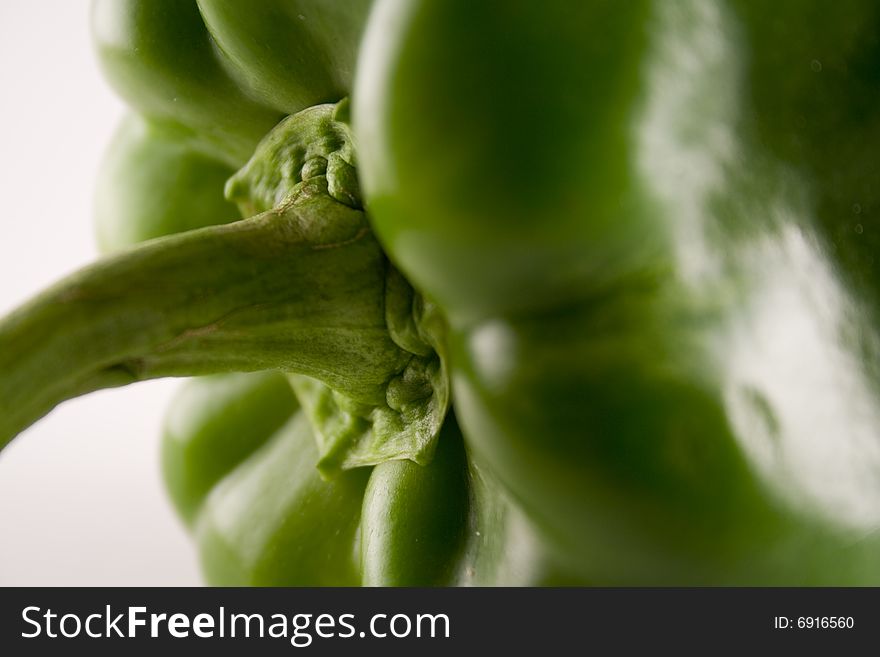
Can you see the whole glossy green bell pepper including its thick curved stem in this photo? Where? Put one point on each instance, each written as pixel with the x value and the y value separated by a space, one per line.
pixel 631 246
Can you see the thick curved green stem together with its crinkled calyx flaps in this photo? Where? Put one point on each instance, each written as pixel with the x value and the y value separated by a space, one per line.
pixel 303 287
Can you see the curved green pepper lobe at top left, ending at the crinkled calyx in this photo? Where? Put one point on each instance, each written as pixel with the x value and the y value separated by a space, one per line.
pixel 161 59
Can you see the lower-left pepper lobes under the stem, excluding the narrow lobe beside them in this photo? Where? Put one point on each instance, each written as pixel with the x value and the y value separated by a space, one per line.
pixel 266 517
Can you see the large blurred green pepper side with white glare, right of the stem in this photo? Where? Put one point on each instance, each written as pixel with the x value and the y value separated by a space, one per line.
pixel 658 263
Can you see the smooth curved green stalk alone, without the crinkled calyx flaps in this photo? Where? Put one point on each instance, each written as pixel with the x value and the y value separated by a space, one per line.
pixel 299 289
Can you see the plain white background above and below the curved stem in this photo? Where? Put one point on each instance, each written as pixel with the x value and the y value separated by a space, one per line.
pixel 81 500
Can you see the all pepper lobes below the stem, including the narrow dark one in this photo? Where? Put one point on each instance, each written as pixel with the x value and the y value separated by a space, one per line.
pixel 239 460
